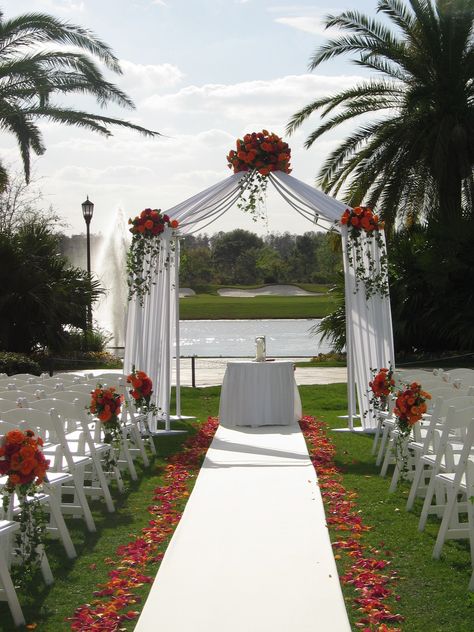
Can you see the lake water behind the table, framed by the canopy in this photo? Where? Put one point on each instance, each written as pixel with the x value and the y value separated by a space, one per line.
pixel 236 338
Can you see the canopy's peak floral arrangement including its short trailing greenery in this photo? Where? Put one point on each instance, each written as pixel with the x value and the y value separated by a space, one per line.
pixel 258 153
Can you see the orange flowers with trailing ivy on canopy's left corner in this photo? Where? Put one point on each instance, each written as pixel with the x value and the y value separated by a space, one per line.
pixel 147 229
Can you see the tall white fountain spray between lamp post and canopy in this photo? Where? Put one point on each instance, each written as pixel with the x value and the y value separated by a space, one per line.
pixel 110 268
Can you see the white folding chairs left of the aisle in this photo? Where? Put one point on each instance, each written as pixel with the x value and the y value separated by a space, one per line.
pixel 75 447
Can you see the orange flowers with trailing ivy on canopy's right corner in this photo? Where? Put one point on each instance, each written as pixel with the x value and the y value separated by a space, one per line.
pixel 364 230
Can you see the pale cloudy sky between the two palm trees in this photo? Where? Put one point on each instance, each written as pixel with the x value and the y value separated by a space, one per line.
pixel 202 73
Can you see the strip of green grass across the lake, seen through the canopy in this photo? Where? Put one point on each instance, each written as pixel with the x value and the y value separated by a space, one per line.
pixel 207 306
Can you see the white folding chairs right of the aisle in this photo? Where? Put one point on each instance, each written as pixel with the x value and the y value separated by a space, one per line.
pixel 439 454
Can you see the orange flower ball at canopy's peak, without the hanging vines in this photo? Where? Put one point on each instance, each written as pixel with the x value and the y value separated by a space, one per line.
pixel 263 151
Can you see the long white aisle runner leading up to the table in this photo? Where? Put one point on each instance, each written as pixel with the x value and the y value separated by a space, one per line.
pixel 251 552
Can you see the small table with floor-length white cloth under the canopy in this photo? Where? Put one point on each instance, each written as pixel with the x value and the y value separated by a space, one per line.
pixel 259 394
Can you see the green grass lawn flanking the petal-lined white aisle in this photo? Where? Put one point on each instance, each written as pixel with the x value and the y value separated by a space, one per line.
pixel 433 593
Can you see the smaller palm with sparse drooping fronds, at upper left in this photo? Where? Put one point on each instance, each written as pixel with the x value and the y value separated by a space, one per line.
pixel 35 67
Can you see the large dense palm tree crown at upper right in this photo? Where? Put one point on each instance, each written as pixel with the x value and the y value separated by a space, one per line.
pixel 416 157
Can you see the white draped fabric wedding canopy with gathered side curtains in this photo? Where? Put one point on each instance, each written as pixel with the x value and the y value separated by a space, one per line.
pixel 153 327
